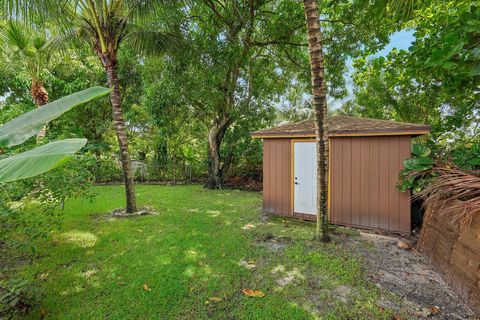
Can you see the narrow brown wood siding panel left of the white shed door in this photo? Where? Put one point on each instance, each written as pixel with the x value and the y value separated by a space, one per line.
pixel 277 180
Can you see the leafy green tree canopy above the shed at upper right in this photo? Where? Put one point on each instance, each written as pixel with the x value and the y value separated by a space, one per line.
pixel 434 81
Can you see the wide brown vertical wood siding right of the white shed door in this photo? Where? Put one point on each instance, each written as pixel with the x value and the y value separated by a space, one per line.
pixel 364 177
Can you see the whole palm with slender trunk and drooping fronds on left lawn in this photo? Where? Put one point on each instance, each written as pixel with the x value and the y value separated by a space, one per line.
pixel 105 25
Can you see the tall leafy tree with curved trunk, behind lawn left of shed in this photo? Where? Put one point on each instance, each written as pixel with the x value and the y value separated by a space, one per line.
pixel 228 73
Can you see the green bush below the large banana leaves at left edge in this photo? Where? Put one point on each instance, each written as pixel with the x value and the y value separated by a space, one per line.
pixel 32 208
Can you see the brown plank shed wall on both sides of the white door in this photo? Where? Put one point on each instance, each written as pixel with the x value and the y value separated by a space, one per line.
pixel 363 181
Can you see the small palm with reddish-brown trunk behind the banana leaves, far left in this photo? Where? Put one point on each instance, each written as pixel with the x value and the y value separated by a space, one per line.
pixel 30 48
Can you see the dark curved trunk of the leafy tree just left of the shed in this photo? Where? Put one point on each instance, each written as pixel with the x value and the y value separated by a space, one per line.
pixel 215 137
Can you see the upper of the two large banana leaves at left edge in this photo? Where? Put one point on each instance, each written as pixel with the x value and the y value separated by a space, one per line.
pixel 22 128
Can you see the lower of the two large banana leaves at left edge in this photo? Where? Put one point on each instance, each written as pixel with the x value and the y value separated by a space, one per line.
pixel 39 160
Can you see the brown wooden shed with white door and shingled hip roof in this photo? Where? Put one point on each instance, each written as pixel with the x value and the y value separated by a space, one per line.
pixel 365 158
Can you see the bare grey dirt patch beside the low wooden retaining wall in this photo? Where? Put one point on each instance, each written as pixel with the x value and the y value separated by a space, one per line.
pixel 401 270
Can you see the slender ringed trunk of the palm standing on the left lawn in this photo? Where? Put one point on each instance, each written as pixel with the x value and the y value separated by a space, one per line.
pixel 119 126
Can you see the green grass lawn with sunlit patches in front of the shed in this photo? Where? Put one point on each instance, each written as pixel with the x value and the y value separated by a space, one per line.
pixel 186 262
